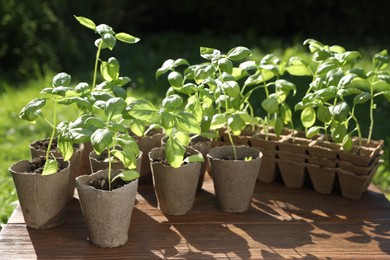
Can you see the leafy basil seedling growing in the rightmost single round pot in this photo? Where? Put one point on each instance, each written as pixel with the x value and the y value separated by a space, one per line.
pixel 221 79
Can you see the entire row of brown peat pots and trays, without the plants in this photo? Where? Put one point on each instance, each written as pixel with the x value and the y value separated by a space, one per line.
pixel 296 159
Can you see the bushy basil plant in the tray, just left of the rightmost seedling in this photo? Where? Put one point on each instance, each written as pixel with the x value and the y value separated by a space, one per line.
pixel 327 93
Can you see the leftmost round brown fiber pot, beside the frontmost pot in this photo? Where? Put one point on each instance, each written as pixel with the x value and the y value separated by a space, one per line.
pixel 41 197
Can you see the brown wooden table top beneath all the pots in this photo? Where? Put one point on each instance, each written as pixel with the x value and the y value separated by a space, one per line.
pixel 282 223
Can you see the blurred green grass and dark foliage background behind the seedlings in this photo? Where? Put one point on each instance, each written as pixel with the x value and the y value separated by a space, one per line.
pixel 40 38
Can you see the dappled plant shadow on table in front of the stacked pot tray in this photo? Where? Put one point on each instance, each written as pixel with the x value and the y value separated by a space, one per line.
pixel 311 212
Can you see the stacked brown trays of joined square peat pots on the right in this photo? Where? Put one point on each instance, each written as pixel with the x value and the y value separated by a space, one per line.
pixel 317 163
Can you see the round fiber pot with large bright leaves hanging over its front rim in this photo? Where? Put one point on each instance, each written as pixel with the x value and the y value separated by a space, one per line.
pixel 175 188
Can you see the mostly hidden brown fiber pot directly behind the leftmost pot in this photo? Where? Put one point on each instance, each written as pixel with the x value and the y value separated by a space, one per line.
pixel 75 161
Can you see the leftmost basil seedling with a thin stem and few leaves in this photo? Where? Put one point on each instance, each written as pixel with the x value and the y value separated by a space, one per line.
pixel 33 110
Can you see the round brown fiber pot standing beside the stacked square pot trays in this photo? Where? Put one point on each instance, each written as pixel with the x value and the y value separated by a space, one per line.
pixel 234 180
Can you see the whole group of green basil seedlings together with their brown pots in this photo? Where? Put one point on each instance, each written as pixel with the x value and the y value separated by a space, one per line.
pixel 205 122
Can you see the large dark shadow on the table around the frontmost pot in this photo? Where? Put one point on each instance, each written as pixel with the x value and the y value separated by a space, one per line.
pixel 148 239
